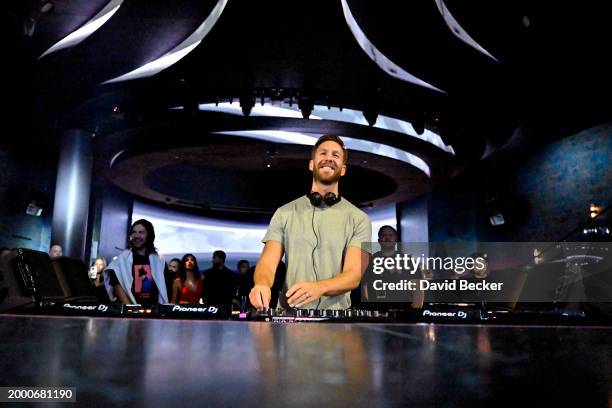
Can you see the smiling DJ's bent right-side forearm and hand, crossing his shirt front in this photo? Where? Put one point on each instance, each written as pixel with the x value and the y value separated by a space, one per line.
pixel 355 262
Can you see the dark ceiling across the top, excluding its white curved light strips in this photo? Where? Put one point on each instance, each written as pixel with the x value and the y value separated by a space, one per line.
pixel 552 76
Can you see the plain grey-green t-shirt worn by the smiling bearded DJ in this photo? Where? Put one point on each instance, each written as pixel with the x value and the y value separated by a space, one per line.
pixel 315 246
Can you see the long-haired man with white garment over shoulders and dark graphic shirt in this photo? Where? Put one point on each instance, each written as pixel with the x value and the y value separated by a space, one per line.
pixel 137 275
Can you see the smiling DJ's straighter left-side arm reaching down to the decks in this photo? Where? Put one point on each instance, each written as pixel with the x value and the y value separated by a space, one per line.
pixel 264 274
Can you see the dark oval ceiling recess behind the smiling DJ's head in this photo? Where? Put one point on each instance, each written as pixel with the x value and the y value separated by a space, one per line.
pixel 235 174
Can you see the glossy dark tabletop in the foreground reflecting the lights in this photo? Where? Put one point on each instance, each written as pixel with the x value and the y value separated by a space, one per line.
pixel 137 362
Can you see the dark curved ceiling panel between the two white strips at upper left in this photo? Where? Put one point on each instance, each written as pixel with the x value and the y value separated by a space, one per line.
pixel 138 34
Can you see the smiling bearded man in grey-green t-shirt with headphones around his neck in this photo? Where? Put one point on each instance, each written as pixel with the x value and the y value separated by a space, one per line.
pixel 320 235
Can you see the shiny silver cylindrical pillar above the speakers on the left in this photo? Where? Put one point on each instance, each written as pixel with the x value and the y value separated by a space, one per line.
pixel 72 191
